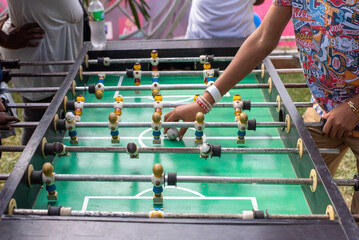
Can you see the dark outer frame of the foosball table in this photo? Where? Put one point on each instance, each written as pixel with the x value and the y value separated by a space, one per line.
pixel 25 227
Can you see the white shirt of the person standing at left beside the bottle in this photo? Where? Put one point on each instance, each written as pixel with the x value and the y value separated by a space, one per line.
pixel 62 21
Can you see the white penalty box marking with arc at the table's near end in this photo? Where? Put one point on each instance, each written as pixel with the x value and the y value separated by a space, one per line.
pixel 198 197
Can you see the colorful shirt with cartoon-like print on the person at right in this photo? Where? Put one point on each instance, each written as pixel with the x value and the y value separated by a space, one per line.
pixel 327 35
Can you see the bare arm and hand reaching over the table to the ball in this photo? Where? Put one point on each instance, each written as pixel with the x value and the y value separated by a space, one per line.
pixel 252 52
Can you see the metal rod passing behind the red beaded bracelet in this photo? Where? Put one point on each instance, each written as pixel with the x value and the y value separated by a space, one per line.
pixel 150 105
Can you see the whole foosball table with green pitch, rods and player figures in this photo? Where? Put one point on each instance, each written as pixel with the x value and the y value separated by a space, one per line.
pixel 99 166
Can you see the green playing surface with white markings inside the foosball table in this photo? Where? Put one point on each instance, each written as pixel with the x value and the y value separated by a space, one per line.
pixel 187 197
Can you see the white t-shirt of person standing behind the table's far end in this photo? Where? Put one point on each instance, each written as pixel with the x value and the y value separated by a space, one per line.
pixel 220 19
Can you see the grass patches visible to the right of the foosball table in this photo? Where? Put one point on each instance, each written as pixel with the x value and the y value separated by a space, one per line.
pixel 347 167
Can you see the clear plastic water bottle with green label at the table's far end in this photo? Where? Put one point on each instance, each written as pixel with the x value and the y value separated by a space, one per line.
pixel 97 24
